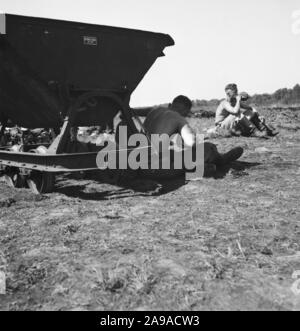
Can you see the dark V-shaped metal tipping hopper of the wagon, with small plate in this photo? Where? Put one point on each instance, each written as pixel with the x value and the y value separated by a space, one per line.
pixel 41 59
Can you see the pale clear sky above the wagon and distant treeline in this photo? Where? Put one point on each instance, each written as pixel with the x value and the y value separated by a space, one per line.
pixel 255 44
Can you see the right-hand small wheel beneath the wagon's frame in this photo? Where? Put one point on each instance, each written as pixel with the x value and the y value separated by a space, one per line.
pixel 41 182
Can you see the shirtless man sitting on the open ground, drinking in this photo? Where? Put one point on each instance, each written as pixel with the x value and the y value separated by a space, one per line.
pixel 236 117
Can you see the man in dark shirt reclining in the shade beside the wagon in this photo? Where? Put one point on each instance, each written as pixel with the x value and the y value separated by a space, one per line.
pixel 172 121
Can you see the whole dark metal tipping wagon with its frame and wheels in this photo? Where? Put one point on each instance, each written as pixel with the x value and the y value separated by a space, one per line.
pixel 59 74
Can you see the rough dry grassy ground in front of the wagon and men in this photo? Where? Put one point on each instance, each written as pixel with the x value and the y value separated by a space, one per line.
pixel 225 243
